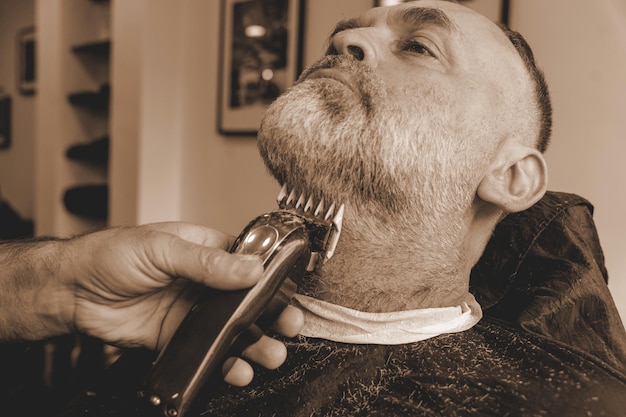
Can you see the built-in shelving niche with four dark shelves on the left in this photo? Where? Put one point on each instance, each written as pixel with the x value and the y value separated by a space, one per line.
pixel 74 44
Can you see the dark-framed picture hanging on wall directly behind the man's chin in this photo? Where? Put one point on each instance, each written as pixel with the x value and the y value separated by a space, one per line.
pixel 260 59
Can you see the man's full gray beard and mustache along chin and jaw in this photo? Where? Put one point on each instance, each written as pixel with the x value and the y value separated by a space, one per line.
pixel 329 141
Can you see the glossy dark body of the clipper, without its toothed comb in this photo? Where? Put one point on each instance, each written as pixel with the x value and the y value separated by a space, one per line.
pixel 202 341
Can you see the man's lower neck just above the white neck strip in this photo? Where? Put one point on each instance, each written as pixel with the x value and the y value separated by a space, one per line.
pixel 378 279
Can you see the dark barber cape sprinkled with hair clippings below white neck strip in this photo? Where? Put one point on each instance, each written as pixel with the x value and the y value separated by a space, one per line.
pixel 490 369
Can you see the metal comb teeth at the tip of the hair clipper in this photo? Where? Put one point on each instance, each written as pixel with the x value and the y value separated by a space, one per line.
pixel 306 206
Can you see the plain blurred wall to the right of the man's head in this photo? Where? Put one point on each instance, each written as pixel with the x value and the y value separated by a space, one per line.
pixel 582 49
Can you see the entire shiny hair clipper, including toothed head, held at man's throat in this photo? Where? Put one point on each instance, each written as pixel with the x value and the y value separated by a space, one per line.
pixel 290 242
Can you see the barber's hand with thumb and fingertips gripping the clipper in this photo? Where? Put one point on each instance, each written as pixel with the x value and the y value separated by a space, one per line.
pixel 134 285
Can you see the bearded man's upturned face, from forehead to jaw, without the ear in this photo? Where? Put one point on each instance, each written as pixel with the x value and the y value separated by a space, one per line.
pixel 403 116
